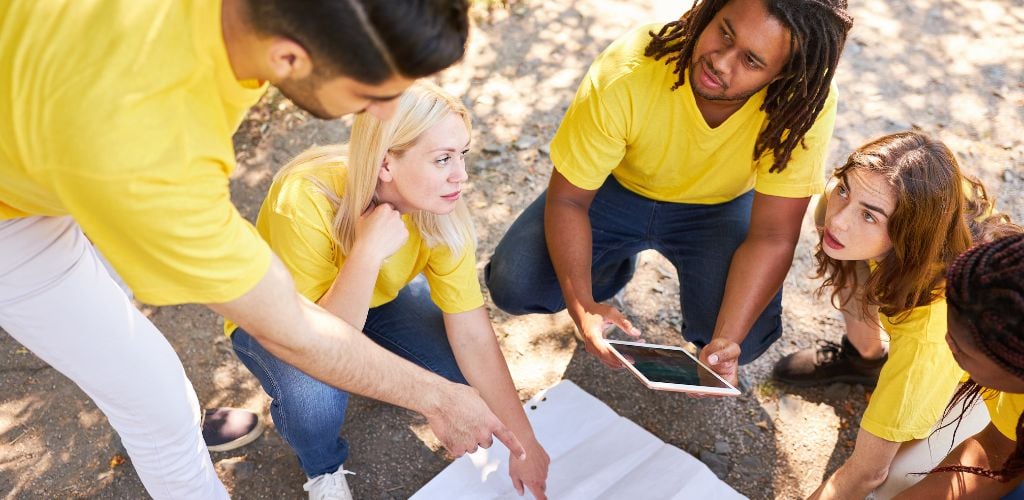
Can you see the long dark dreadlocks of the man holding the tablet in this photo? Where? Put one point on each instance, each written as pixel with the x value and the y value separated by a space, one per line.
pixel 818 30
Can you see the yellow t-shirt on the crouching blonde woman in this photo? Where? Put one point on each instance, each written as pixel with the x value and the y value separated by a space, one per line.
pixel 296 221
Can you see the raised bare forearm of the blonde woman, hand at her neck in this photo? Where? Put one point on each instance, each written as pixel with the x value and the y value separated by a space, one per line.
pixel 353 290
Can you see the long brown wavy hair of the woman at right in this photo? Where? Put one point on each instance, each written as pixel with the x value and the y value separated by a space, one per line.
pixel 938 215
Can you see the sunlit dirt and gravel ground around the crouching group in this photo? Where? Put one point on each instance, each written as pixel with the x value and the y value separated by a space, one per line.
pixel 950 68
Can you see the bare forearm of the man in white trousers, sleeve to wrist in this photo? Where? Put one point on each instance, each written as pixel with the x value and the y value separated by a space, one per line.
pixel 326 348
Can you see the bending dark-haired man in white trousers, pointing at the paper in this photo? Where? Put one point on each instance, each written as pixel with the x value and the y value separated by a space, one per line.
pixel 116 124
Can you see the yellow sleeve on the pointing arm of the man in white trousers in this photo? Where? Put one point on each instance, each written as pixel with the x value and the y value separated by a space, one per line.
pixel 175 239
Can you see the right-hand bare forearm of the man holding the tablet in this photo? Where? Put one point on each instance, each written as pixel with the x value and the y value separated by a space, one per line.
pixel 757 273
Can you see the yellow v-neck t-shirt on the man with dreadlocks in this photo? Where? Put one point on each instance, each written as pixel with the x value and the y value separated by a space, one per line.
pixel 625 120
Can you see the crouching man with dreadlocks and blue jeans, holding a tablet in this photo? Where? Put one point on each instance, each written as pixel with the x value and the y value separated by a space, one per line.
pixel 704 140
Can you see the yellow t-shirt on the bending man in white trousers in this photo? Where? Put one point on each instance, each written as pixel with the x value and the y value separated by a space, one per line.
pixel 120 114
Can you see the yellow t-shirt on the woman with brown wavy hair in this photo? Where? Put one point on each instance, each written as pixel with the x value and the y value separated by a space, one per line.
pixel 919 380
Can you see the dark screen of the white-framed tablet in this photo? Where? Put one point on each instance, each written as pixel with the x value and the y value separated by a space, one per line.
pixel 669 366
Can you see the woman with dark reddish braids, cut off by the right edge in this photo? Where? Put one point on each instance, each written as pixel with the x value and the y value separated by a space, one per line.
pixel 986 295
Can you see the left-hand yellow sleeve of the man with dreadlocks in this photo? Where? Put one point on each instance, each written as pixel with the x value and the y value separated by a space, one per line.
pixel 591 141
